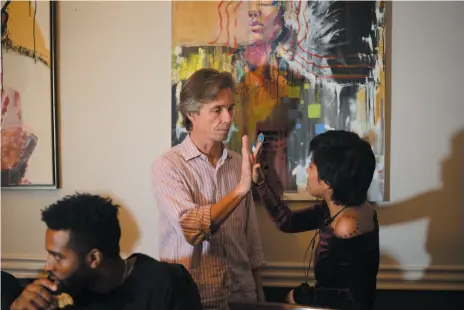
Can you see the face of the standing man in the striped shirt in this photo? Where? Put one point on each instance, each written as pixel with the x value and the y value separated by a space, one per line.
pixel 214 120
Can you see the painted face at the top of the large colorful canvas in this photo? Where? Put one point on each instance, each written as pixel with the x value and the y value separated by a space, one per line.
pixel 264 21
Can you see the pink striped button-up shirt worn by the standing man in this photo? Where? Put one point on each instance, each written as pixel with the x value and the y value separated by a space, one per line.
pixel 186 185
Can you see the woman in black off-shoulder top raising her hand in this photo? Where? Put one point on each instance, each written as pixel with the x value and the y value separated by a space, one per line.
pixel 347 255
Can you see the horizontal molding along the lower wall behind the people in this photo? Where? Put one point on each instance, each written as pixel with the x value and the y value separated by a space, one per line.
pixel 290 274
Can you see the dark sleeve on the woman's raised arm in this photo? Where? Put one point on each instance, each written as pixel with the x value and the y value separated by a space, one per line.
pixel 287 220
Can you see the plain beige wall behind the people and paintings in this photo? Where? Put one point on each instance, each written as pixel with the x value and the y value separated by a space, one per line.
pixel 115 118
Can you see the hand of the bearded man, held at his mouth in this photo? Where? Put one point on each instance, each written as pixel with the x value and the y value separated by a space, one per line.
pixel 37 295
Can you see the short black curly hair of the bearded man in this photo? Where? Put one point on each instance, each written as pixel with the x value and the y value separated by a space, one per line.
pixel 91 219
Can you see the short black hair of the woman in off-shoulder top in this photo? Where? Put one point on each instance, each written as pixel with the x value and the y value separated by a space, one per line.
pixel 346 163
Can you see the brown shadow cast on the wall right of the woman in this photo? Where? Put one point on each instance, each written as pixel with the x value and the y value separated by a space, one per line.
pixel 440 211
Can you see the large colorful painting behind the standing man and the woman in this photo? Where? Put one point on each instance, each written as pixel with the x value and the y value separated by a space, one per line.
pixel 302 68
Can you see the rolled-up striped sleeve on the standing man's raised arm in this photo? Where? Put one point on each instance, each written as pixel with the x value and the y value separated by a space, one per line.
pixel 174 200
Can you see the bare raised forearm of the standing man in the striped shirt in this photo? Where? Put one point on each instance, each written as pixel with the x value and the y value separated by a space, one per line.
pixel 221 210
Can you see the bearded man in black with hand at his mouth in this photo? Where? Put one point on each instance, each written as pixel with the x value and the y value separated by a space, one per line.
pixel 82 241
